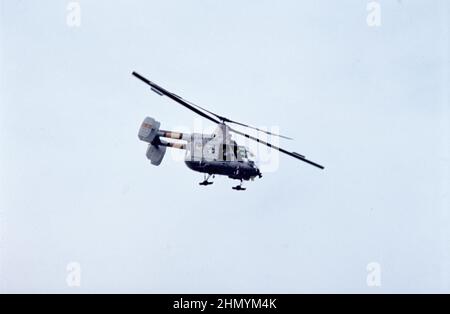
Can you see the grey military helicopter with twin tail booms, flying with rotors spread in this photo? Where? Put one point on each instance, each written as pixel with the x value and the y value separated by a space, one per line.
pixel 211 154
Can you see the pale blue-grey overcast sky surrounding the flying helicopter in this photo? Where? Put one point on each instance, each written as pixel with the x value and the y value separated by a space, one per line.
pixel 369 103
